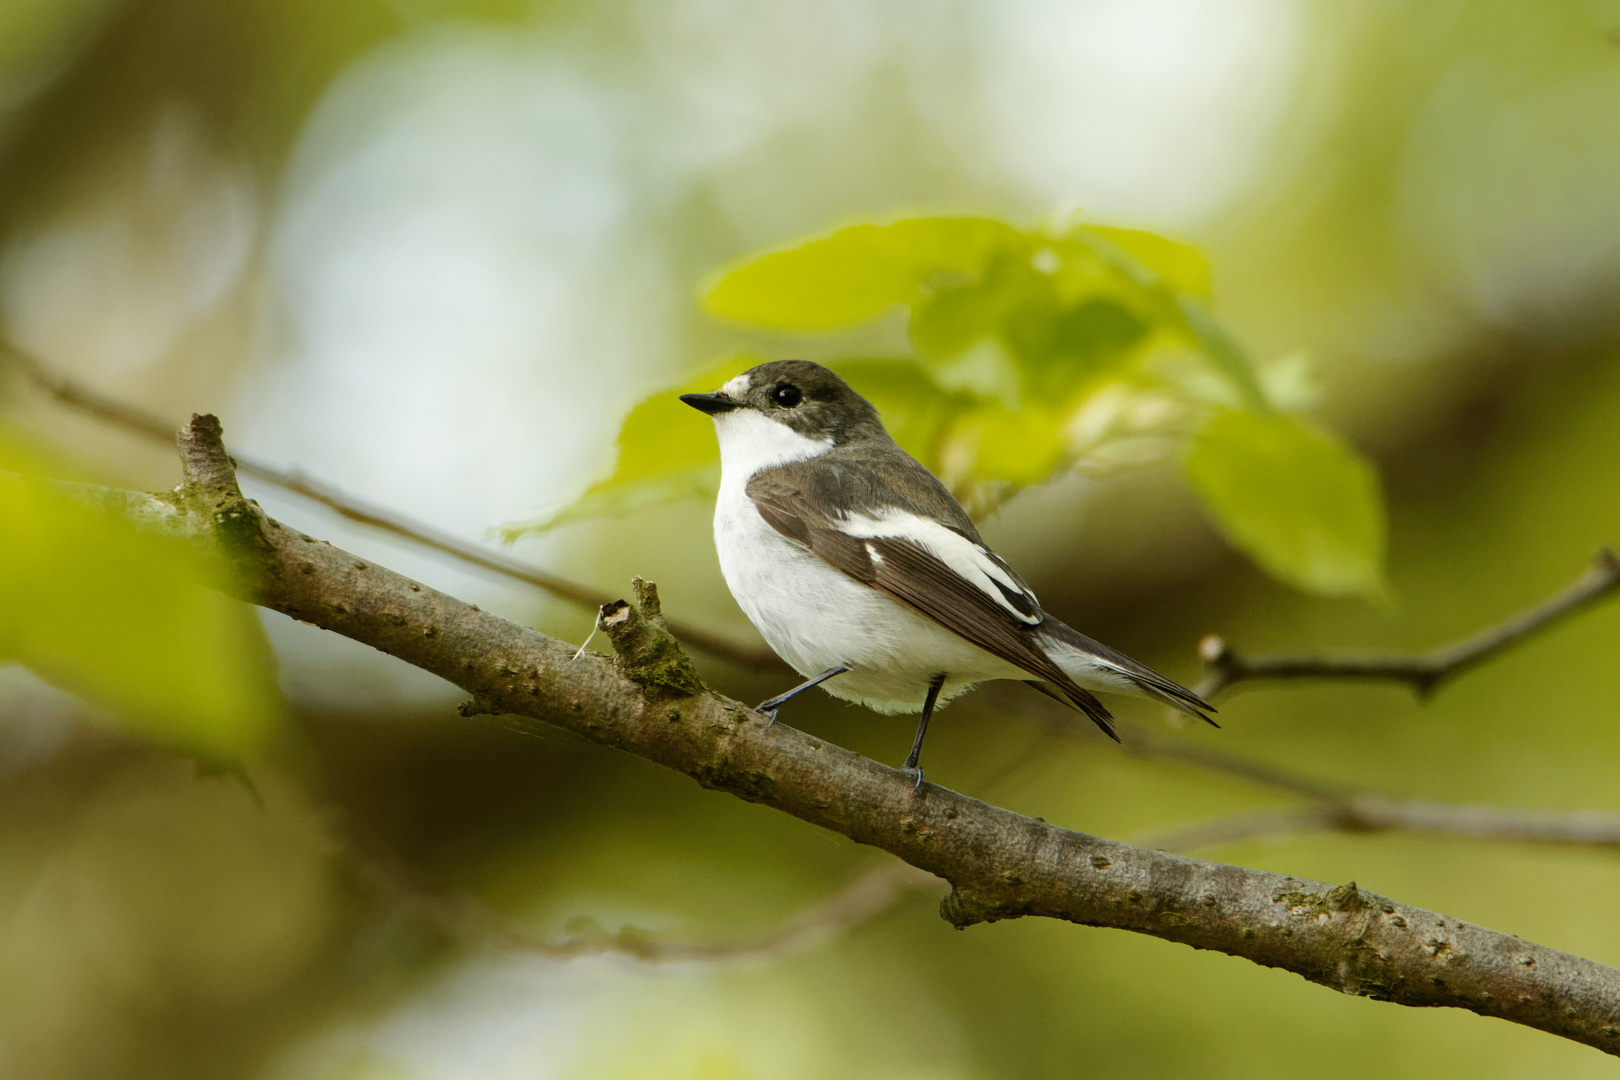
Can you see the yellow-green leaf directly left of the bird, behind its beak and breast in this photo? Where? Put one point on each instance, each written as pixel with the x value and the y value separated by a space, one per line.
pixel 667 453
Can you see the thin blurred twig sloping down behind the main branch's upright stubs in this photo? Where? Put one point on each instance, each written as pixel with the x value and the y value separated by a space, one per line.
pixel 142 423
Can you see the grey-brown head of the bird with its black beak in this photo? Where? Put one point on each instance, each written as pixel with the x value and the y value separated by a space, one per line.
pixel 801 396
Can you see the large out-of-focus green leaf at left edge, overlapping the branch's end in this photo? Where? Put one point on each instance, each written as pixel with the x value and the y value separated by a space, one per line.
pixel 127 619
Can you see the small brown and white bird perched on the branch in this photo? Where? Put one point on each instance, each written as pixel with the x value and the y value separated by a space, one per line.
pixel 868 577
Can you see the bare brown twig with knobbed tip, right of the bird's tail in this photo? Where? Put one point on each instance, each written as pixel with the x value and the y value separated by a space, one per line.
pixel 1226 666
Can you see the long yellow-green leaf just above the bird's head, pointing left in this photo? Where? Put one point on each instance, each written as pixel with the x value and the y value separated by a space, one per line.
pixel 856 274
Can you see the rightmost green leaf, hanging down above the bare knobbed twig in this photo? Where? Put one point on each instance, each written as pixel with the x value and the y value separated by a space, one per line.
pixel 1305 506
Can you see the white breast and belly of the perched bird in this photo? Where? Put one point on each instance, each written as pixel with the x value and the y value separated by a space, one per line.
pixel 817 618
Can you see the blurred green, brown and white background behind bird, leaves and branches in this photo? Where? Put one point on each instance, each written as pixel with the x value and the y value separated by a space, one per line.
pixel 433 252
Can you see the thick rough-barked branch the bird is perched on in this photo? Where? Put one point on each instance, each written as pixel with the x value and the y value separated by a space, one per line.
pixel 647 702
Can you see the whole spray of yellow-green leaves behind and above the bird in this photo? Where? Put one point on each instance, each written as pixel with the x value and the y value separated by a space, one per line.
pixel 1017 333
